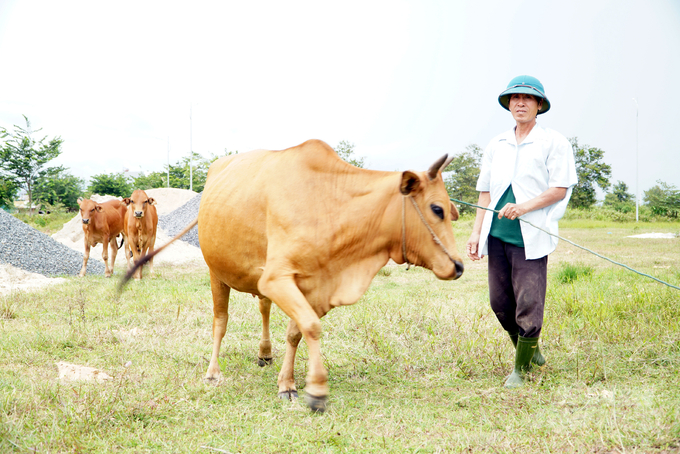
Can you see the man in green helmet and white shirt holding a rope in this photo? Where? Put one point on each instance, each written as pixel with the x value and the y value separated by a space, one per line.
pixel 528 173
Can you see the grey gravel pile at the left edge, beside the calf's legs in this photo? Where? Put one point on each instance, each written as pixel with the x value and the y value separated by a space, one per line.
pixel 24 247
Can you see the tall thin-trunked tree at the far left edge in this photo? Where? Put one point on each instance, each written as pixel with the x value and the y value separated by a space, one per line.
pixel 23 157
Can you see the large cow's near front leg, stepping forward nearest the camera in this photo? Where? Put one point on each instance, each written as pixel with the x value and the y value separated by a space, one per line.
pixel 283 290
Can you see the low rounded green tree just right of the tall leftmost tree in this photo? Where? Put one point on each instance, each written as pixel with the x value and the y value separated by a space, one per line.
pixel 58 187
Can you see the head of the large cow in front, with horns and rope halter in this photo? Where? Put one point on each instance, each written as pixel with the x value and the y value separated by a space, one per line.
pixel 429 239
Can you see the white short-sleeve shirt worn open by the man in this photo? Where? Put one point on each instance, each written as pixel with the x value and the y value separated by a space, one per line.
pixel 543 160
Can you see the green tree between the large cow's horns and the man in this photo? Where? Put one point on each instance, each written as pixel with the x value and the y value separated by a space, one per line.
pixel 461 182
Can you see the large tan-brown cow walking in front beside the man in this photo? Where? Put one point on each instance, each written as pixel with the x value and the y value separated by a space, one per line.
pixel 305 229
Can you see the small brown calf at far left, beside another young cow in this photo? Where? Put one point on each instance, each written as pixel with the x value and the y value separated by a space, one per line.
pixel 102 223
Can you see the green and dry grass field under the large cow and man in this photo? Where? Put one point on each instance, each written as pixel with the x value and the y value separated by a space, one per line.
pixel 417 365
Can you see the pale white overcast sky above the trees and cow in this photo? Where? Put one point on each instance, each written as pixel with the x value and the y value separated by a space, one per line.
pixel 405 81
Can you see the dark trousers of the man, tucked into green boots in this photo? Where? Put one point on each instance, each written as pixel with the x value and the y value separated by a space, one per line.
pixel 517 288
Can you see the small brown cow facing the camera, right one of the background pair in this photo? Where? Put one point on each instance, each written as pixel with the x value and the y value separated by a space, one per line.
pixel 140 224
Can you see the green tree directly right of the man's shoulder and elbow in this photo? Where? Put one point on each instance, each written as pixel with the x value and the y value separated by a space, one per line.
pixel 591 170
